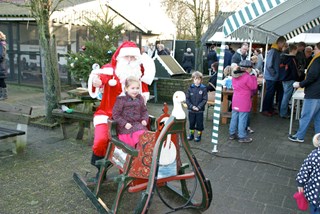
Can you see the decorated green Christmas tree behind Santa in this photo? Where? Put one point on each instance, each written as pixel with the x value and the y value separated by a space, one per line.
pixel 98 48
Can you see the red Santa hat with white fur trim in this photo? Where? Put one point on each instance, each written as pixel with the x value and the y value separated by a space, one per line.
pixel 127 48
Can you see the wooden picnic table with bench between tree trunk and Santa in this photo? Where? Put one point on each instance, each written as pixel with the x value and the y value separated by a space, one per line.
pixel 84 119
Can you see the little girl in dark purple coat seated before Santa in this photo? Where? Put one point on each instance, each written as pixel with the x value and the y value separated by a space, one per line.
pixel 130 113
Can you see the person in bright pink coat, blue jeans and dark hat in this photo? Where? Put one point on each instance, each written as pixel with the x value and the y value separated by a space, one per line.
pixel 244 86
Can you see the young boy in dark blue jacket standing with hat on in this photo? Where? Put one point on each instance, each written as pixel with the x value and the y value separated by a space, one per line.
pixel 196 99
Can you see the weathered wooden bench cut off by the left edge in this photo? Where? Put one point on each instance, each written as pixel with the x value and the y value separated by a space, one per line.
pixel 19 114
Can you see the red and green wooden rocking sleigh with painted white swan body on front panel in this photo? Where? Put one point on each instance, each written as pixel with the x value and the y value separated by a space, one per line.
pixel 146 171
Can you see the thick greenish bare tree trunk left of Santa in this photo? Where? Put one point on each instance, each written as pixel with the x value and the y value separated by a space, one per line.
pixel 41 11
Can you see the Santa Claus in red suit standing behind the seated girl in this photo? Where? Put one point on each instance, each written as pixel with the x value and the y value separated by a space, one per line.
pixel 126 61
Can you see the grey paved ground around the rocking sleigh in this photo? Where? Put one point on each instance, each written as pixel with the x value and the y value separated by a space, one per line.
pixel 246 178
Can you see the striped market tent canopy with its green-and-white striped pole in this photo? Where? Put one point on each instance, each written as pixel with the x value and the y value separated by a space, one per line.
pixel 264 21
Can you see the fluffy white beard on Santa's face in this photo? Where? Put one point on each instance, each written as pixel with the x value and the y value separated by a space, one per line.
pixel 126 69
